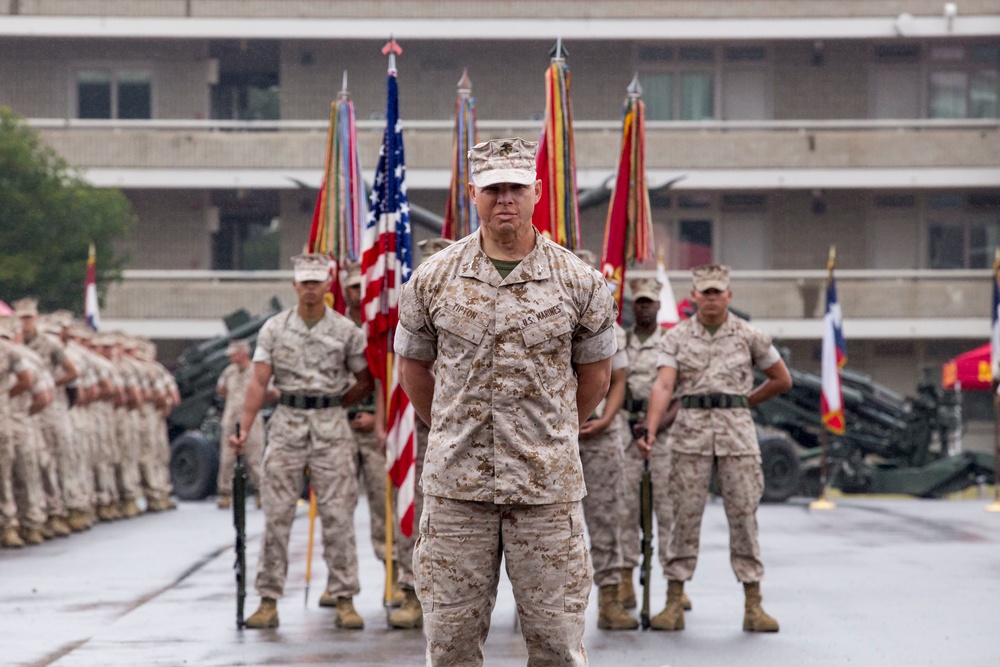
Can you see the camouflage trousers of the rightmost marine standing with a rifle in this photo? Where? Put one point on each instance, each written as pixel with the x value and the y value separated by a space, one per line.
pixel 741 483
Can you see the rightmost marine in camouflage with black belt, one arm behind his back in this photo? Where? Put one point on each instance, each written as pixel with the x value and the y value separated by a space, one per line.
pixel 707 362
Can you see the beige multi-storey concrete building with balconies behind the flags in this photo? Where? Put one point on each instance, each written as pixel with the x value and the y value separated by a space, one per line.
pixel 787 126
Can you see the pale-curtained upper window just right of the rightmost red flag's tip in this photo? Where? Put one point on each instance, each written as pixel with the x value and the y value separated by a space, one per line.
pixel 678 84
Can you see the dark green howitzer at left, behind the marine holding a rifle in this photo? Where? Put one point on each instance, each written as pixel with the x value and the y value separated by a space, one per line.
pixel 194 424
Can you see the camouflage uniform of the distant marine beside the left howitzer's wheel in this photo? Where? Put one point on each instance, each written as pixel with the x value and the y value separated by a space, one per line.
pixel 235 381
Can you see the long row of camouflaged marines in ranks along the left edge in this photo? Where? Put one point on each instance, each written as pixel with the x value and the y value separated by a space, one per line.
pixel 83 435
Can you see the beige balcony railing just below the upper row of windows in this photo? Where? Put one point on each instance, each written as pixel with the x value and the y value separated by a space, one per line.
pixel 673 145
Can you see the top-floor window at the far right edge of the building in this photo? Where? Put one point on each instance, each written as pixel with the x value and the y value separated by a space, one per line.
pixel 963 82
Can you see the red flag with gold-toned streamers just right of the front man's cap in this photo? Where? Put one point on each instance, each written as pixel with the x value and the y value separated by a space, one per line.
pixel 557 215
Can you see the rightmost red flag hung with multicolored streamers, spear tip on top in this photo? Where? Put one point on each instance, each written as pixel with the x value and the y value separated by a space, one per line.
pixel 628 231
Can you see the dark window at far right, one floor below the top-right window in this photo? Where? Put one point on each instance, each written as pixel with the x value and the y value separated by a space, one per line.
pixel 963 232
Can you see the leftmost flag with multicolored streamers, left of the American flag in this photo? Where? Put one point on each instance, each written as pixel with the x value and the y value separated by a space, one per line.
pixel 340 205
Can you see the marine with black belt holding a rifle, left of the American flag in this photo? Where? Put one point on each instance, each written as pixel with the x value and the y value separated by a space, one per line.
pixel 316 358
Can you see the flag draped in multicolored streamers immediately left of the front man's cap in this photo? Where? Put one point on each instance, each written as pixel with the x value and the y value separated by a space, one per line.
pixel 460 216
